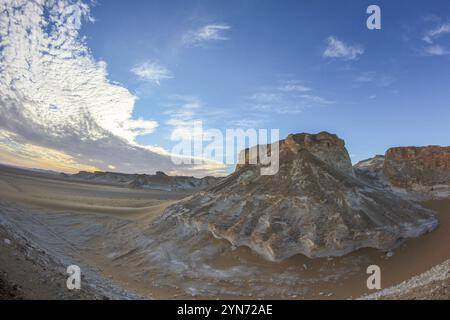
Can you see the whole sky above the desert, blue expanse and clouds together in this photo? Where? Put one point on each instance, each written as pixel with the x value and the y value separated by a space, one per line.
pixel 104 85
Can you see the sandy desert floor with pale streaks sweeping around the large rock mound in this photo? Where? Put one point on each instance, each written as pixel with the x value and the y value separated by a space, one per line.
pixel 48 223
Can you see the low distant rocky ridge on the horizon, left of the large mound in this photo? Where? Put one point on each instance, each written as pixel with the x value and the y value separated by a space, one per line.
pixel 158 181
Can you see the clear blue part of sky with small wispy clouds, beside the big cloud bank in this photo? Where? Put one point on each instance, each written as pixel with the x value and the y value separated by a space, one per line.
pixel 300 66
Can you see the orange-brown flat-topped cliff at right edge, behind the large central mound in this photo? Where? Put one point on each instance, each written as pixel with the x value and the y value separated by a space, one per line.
pixel 407 167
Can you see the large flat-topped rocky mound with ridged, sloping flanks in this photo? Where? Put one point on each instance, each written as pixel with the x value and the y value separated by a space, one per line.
pixel 314 205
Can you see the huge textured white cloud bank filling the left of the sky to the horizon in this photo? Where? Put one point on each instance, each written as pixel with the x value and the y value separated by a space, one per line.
pixel 55 98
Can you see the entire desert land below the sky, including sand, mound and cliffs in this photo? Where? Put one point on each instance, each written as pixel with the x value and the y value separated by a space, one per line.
pixel 308 232
